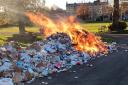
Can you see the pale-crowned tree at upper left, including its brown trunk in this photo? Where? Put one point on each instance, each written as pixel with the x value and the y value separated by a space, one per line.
pixel 16 9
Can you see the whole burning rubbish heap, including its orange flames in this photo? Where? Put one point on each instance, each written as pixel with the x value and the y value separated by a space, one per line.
pixel 59 51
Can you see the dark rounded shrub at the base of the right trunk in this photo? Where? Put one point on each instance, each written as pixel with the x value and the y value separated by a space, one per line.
pixel 120 26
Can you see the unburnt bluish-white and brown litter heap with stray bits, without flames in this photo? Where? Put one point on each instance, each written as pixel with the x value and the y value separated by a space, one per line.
pixel 54 54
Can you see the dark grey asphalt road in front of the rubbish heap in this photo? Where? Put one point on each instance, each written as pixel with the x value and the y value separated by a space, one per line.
pixel 106 70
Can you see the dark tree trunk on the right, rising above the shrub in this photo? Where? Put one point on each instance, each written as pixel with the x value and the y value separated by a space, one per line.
pixel 116 14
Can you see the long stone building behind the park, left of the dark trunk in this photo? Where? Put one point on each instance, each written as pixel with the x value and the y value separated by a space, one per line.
pixel 98 10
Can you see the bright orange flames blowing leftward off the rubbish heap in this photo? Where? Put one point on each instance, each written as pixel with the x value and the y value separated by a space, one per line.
pixel 83 40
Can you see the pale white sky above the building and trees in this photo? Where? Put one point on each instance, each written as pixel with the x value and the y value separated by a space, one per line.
pixel 62 3
